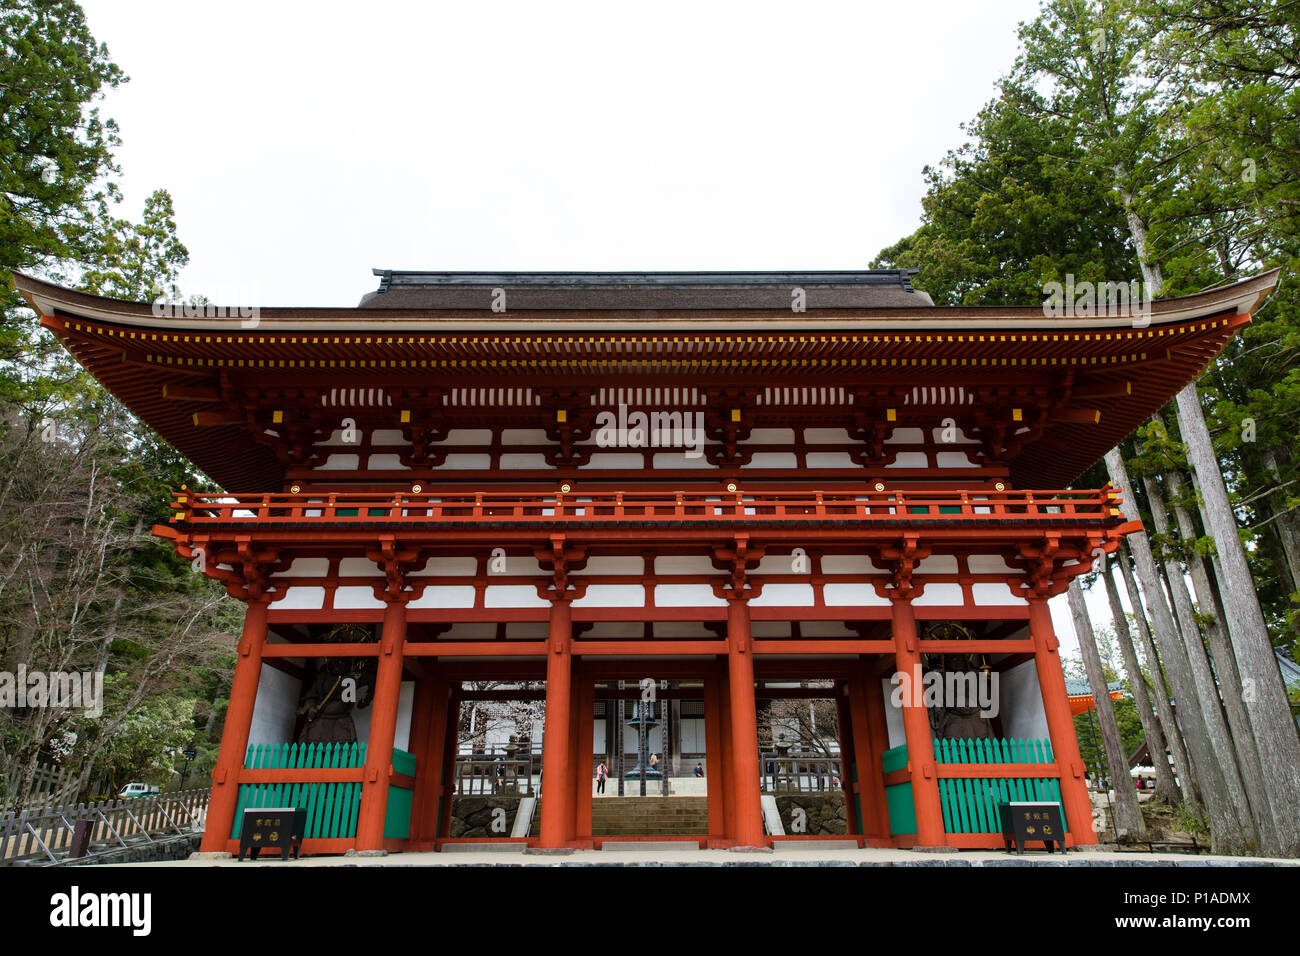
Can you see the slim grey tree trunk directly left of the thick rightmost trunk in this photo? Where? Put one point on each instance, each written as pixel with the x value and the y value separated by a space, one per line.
pixel 1229 681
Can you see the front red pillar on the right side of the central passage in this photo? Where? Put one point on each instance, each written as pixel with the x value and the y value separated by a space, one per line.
pixel 748 824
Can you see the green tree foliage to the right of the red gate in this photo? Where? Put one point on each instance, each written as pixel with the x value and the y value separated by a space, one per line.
pixel 1177 123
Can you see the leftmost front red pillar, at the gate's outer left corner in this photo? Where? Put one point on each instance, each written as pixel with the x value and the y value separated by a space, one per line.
pixel 235 736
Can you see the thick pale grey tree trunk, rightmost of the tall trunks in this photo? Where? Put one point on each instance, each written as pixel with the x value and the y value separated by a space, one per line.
pixel 1264 695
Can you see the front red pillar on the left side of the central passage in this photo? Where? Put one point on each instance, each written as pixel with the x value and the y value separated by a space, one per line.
pixel 557 762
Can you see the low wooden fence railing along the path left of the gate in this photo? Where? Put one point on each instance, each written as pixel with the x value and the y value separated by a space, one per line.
pixel 45 836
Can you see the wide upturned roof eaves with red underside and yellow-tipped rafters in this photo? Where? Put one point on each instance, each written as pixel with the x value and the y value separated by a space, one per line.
pixel 1119 370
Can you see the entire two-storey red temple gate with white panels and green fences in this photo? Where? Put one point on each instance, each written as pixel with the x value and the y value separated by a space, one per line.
pixel 418 505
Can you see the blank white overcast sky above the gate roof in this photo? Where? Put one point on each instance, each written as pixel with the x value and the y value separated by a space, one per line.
pixel 305 144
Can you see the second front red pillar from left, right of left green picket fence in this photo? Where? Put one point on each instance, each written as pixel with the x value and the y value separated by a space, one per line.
pixel 384 723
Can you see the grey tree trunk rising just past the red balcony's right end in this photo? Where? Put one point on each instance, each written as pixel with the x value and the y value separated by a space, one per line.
pixel 1225 830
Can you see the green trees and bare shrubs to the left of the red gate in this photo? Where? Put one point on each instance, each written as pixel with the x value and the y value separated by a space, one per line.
pixel 84 586
